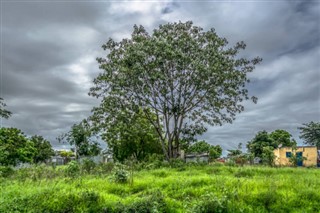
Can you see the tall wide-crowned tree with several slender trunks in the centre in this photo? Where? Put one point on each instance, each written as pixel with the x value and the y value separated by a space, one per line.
pixel 184 74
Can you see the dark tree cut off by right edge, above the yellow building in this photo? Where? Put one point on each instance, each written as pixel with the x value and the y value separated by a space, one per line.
pixel 310 133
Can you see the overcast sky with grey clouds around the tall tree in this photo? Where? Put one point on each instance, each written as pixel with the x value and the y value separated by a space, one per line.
pixel 48 52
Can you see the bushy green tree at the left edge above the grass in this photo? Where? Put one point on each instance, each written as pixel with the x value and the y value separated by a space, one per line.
pixel 15 147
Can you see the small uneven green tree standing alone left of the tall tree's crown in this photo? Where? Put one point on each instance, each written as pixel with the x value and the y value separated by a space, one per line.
pixel 80 136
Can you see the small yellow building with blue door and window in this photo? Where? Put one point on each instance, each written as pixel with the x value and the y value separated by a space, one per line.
pixel 309 155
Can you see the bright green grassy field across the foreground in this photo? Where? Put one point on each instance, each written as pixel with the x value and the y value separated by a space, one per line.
pixel 209 188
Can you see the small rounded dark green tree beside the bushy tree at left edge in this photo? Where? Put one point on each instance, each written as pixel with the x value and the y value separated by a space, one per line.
pixel 43 149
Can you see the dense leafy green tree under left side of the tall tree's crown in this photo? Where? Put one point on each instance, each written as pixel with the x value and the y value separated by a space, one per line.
pixel 131 135
